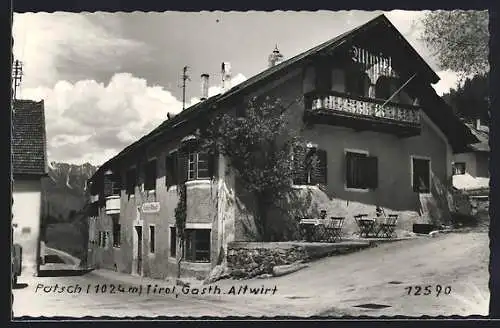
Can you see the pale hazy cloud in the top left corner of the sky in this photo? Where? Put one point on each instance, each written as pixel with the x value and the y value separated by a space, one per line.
pixel 57 46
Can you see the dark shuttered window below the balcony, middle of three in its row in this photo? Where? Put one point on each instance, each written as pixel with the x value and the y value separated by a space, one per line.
pixel 361 171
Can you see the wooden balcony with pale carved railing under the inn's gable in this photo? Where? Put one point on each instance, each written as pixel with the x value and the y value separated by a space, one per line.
pixel 362 113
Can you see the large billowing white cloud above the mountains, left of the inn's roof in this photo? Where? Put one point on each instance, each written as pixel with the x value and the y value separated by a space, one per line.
pixel 91 122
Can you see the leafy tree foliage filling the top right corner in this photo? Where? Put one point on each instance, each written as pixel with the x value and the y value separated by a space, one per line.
pixel 459 39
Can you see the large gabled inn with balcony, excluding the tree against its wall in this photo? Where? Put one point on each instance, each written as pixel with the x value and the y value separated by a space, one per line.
pixel 367 108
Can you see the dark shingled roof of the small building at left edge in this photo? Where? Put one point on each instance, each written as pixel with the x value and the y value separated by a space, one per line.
pixel 29 155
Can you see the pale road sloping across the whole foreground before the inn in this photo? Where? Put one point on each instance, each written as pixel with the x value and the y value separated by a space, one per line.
pixel 331 286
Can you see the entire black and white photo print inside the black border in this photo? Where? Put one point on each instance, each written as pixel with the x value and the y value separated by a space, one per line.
pixel 250 164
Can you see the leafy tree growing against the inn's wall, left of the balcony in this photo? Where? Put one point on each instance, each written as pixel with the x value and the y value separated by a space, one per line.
pixel 259 146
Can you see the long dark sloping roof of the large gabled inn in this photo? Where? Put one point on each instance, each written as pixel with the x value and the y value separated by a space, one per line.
pixel 332 44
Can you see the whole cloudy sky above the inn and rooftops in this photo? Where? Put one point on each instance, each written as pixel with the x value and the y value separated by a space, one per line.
pixel 107 79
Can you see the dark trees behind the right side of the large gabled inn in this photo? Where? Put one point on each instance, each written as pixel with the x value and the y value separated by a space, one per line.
pixel 470 100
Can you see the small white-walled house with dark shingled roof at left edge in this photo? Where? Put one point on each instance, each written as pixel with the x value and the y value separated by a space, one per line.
pixel 29 166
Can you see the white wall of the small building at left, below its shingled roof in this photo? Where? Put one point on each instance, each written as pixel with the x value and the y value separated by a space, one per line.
pixel 26 214
